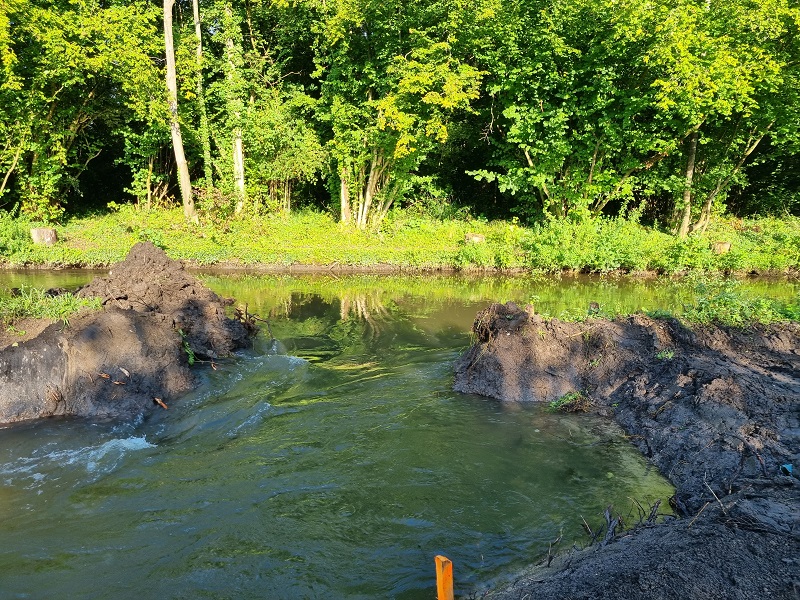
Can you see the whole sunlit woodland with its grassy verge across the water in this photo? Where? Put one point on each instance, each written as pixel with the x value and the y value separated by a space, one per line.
pixel 581 134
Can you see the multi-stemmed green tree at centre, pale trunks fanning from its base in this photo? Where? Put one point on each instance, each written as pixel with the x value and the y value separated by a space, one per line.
pixel 392 76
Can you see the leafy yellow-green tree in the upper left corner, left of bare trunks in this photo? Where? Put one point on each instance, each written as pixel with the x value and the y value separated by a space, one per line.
pixel 76 74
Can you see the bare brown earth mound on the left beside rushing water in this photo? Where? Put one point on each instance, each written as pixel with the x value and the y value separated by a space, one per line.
pixel 115 362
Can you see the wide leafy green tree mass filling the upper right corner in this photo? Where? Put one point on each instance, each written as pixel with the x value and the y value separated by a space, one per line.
pixel 598 102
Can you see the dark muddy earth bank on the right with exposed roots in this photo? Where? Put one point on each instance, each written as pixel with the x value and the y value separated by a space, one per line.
pixel 717 410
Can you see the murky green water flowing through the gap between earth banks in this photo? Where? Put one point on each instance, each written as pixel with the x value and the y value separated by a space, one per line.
pixel 335 464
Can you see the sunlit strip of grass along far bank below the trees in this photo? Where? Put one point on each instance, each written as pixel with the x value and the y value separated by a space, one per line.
pixel 764 245
